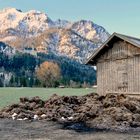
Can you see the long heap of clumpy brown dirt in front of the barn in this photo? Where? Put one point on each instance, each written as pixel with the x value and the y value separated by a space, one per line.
pixel 110 111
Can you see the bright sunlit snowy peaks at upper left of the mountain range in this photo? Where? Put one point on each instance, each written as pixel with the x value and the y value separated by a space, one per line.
pixel 27 24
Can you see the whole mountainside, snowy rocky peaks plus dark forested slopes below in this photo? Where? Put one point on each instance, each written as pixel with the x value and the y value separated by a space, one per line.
pixel 29 38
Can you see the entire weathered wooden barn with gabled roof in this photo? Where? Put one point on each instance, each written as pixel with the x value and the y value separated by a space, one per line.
pixel 118 65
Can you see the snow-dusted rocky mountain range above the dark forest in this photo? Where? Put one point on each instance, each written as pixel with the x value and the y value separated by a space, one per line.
pixel 34 32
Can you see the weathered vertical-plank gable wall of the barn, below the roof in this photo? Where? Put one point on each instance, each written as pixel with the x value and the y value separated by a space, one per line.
pixel 118 70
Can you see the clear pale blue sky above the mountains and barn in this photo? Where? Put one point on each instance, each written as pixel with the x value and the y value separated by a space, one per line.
pixel 121 16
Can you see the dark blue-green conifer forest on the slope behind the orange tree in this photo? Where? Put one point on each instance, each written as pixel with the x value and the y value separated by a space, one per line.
pixel 19 70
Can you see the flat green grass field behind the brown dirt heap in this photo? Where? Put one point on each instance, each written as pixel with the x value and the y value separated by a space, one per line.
pixel 12 95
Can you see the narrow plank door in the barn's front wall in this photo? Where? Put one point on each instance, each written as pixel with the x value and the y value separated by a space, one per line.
pixel 122 75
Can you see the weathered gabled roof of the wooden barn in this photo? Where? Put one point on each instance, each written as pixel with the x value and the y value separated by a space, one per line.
pixel 132 40
